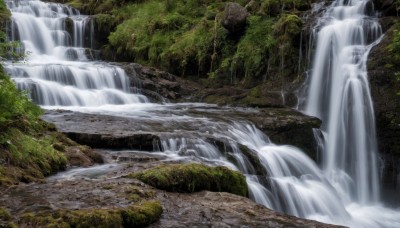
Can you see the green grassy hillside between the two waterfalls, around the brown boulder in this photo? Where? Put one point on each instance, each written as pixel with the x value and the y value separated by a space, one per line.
pixel 188 38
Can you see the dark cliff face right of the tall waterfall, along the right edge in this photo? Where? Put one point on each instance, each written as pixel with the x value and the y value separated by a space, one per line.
pixel 383 67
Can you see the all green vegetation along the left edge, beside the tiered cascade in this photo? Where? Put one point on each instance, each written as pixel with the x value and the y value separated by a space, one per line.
pixel 28 146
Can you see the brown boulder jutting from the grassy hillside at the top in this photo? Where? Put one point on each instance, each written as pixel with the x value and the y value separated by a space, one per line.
pixel 234 17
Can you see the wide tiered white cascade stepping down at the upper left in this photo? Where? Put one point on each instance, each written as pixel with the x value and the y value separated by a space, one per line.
pixel 58 70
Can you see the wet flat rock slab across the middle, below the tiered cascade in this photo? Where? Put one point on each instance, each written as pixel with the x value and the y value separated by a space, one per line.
pixel 141 130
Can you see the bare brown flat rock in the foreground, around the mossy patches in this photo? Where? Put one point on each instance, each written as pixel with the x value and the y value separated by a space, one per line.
pixel 112 190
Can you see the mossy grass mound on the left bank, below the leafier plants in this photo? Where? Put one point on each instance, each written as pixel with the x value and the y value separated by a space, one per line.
pixel 27 157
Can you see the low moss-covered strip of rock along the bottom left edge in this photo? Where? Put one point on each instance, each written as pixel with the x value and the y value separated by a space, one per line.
pixel 140 215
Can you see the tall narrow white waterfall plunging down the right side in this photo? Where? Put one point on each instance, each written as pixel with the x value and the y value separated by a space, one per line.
pixel 339 95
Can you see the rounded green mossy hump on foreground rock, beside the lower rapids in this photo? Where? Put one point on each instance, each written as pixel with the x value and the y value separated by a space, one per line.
pixel 187 178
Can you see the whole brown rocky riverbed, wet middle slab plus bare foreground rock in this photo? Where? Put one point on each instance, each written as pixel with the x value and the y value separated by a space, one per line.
pixel 127 140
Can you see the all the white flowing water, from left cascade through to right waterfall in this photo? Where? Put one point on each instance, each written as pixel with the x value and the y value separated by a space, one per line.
pixel 345 191
